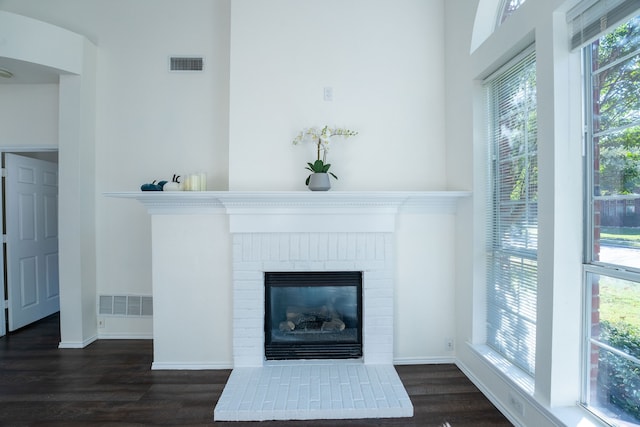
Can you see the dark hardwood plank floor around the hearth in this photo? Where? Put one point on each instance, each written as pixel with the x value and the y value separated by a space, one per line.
pixel 110 383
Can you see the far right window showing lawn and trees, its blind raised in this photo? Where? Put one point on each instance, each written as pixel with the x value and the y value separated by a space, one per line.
pixel 612 234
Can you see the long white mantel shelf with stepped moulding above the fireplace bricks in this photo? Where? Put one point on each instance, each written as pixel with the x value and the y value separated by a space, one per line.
pixel 295 211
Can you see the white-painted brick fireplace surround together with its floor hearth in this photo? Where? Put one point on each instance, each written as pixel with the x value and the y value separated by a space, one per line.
pixel 259 390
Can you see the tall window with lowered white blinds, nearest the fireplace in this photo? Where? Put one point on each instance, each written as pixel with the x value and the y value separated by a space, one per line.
pixel 513 217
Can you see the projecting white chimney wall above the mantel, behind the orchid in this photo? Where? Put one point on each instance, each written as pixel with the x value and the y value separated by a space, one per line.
pixel 384 61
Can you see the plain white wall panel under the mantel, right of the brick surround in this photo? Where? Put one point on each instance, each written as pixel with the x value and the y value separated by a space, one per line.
pixel 425 293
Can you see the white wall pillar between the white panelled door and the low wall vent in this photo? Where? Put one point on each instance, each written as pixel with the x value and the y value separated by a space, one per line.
pixel 76 202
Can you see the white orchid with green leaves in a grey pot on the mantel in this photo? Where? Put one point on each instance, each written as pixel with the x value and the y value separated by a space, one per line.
pixel 319 179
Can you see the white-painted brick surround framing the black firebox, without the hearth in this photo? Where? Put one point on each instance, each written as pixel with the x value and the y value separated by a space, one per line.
pixel 257 253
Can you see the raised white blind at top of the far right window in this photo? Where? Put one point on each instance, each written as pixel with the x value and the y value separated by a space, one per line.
pixel 590 18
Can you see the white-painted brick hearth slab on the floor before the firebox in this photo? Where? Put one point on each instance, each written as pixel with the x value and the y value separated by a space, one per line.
pixel 313 390
